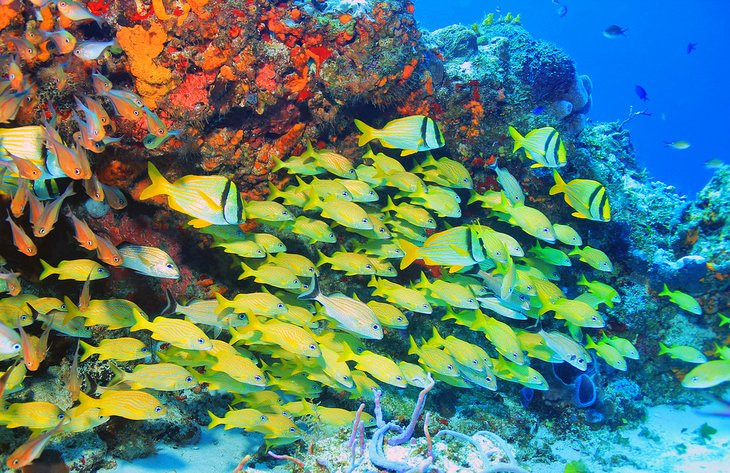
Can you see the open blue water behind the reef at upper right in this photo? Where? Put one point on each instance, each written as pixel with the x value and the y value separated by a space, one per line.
pixel 688 94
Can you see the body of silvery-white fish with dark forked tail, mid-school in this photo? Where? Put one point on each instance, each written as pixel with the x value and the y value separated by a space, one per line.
pixel 352 315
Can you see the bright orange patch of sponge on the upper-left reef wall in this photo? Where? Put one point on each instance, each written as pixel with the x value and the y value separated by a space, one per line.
pixel 142 46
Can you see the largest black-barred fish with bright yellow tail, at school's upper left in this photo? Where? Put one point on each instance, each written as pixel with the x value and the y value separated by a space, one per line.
pixel 211 200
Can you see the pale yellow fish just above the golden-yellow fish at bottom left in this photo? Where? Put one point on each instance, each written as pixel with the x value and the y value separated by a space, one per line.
pixel 160 377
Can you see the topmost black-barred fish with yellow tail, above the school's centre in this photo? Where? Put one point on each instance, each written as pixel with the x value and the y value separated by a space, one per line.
pixel 411 134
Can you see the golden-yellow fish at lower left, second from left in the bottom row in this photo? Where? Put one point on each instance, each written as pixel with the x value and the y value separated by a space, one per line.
pixel 130 404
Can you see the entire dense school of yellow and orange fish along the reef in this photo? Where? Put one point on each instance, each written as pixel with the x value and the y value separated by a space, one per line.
pixel 278 346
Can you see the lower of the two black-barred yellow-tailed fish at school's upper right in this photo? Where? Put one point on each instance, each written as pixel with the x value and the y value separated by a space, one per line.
pixel 587 197
